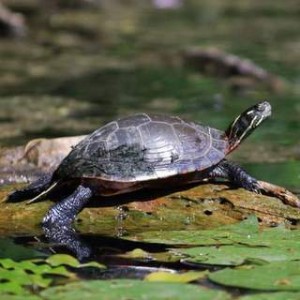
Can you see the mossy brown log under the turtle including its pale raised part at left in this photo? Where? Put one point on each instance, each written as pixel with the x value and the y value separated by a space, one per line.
pixel 205 206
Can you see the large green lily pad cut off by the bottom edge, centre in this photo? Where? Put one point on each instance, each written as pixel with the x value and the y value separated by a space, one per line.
pixel 131 289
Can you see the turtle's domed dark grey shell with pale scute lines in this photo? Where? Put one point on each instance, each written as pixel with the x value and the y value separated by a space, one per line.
pixel 144 147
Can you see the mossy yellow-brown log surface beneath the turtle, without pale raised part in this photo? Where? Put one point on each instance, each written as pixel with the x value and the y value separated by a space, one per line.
pixel 204 206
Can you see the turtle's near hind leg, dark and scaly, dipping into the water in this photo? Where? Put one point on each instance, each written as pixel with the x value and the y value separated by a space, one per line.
pixel 57 223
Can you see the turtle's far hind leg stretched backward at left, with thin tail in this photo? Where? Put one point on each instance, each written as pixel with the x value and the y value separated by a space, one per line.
pixel 36 190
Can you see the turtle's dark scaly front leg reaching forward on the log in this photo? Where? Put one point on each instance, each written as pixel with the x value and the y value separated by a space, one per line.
pixel 236 174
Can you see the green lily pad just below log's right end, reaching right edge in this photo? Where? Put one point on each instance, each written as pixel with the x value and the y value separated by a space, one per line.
pixel 273 244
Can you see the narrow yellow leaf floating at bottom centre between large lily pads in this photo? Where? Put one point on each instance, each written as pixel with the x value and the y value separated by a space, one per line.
pixel 175 277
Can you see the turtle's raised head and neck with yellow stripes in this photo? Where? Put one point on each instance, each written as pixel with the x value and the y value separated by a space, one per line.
pixel 246 122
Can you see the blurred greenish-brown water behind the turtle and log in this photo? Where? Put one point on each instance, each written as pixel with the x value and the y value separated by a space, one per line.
pixel 77 64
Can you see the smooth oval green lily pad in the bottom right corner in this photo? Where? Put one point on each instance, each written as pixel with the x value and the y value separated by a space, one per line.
pixel 277 276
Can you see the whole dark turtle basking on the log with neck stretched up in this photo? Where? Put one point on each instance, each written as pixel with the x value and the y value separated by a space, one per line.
pixel 141 151
